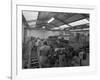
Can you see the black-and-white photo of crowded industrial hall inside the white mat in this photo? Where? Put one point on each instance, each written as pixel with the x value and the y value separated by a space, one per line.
pixel 54 39
